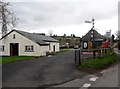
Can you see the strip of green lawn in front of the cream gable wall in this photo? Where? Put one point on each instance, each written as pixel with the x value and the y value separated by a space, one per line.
pixel 9 59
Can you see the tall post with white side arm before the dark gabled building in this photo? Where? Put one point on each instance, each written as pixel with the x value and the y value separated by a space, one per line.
pixel 93 35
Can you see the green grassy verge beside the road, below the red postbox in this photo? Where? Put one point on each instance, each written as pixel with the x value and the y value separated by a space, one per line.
pixel 99 63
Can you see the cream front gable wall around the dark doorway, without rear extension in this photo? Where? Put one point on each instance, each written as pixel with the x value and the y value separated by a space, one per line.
pixel 23 41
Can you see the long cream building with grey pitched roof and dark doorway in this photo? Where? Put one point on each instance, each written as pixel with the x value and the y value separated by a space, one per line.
pixel 22 43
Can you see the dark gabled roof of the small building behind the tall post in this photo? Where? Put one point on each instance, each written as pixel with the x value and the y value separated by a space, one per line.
pixel 97 36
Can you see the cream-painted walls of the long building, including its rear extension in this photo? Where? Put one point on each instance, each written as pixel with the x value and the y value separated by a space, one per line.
pixel 23 41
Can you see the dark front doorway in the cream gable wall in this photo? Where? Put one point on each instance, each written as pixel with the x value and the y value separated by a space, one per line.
pixel 14 49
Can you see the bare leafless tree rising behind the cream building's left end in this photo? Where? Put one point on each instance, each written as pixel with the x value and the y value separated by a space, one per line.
pixel 7 17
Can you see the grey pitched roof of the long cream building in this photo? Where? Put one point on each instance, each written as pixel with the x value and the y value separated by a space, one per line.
pixel 40 39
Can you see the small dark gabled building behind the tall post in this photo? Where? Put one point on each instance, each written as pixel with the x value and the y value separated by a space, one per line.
pixel 89 37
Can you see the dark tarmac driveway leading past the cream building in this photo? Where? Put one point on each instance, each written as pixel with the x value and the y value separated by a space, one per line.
pixel 41 71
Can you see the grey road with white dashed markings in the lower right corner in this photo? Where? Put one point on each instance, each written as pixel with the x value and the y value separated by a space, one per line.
pixel 106 79
